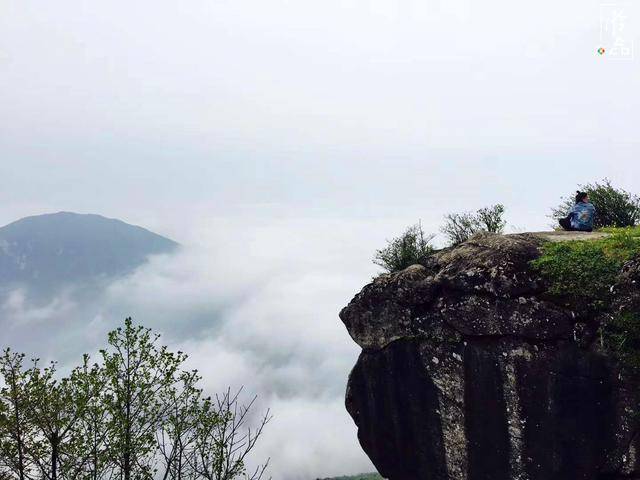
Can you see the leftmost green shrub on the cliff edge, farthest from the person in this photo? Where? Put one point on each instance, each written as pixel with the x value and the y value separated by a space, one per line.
pixel 412 247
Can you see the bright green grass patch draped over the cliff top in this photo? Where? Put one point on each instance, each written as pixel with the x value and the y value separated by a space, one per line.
pixel 585 270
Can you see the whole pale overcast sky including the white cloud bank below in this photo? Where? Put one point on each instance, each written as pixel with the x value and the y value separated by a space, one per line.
pixel 281 142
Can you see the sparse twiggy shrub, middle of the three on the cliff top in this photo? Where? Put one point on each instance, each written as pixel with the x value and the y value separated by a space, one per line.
pixel 459 227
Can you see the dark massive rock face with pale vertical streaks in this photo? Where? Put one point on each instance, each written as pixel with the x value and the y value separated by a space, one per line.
pixel 470 372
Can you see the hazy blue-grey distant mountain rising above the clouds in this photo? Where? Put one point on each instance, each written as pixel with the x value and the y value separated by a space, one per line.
pixel 48 251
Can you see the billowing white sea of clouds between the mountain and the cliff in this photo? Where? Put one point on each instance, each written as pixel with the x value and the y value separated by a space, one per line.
pixel 255 304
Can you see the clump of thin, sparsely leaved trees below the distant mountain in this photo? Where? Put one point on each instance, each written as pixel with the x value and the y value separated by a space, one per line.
pixel 136 415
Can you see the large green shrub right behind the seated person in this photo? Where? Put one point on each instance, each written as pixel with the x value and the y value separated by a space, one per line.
pixel 615 207
